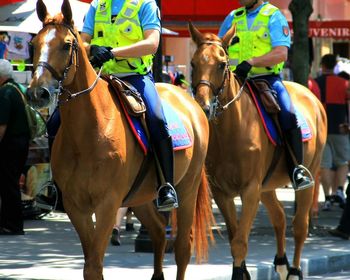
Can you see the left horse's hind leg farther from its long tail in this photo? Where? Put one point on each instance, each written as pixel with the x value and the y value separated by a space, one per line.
pixel 155 224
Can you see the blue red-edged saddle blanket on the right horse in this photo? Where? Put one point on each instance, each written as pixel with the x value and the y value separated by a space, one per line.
pixel 271 128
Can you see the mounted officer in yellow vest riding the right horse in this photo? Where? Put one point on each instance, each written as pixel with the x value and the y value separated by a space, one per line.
pixel 260 49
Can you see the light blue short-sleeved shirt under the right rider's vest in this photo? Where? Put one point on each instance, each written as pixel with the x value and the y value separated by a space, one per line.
pixel 277 24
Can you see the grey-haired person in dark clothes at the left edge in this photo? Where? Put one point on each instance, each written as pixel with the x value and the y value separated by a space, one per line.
pixel 14 146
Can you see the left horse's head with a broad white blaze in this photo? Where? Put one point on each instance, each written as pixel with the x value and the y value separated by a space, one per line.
pixel 55 54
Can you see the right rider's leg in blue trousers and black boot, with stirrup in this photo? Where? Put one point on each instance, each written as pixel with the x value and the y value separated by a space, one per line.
pixel 301 178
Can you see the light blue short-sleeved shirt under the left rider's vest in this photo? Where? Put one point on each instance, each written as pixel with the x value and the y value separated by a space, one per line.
pixel 149 15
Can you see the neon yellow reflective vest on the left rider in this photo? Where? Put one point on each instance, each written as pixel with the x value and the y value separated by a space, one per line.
pixel 125 31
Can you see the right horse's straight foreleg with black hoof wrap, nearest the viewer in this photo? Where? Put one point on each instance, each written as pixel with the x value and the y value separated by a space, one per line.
pixel 239 244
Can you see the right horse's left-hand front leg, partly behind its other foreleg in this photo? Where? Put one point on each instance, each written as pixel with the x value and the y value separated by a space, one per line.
pixel 227 208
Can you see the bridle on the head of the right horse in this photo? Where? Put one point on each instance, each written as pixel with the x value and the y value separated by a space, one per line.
pixel 216 108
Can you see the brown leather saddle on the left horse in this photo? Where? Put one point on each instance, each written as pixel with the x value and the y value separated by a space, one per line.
pixel 128 94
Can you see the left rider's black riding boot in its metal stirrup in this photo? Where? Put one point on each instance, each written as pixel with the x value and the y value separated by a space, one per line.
pixel 167 198
